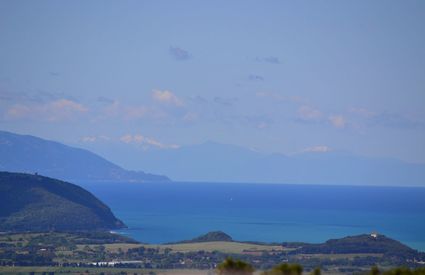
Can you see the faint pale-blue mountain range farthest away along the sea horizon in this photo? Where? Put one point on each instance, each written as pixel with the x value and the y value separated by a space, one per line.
pixel 215 162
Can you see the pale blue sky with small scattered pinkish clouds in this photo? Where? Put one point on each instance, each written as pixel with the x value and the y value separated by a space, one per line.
pixel 273 76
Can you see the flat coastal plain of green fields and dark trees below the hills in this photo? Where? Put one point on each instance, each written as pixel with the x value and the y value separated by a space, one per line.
pixel 103 249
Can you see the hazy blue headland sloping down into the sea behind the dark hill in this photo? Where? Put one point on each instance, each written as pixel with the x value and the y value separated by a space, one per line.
pixel 28 154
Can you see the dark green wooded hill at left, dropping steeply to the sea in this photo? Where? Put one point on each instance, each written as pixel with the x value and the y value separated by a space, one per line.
pixel 36 203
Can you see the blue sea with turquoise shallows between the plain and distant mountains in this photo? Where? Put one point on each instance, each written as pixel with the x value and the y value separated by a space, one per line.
pixel 169 212
